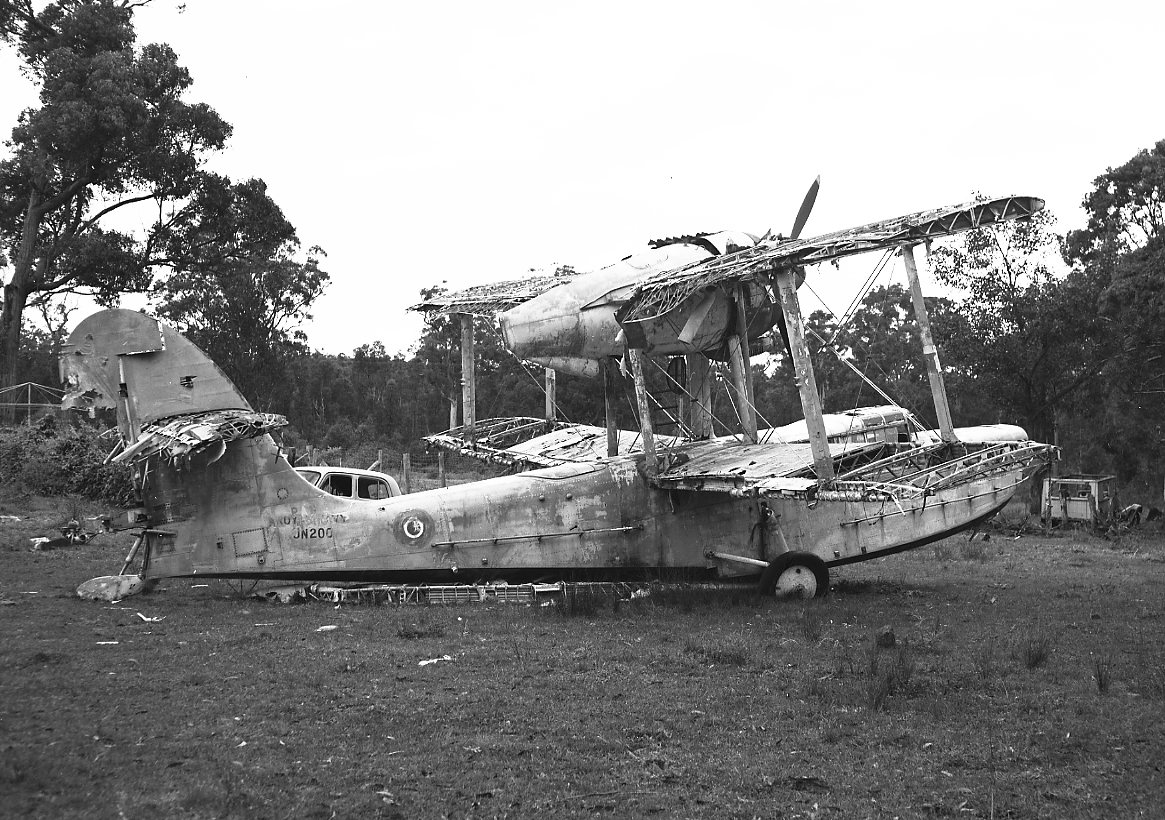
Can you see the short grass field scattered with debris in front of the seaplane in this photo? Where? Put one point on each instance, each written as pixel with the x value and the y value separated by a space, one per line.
pixel 1028 680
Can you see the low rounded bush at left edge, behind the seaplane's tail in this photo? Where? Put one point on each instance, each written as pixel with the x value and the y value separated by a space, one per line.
pixel 59 458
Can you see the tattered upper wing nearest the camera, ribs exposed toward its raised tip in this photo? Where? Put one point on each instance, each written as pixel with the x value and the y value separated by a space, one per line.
pixel 662 293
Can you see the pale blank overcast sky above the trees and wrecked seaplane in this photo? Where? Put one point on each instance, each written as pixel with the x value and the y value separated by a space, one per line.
pixel 463 143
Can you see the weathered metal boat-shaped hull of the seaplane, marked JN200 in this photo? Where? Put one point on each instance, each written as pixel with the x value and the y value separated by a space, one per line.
pixel 251 514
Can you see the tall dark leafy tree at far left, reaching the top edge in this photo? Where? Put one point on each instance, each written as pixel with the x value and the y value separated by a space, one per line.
pixel 112 131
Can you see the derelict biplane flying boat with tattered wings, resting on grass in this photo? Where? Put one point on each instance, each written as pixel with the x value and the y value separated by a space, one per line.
pixel 221 500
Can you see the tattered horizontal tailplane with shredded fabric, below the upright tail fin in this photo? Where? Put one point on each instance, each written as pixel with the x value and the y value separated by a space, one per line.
pixel 180 437
